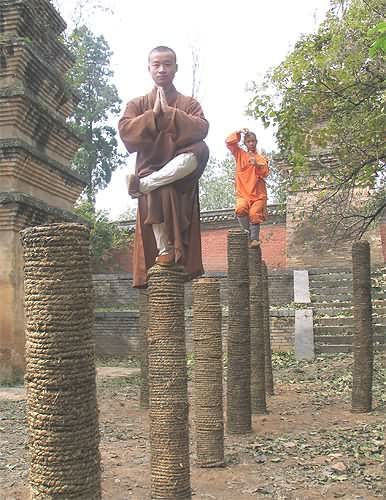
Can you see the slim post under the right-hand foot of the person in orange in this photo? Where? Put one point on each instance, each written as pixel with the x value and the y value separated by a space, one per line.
pixel 258 398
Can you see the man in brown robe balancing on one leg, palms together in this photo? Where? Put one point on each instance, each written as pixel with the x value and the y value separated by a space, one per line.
pixel 166 129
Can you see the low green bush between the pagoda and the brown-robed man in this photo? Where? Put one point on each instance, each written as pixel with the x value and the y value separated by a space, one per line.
pixel 105 235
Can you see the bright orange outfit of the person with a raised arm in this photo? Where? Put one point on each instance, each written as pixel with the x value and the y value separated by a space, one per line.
pixel 251 192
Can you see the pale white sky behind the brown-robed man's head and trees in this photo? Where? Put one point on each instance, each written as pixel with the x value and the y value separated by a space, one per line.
pixel 237 44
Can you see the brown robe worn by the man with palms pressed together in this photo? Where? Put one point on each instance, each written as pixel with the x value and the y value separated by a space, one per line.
pixel 156 141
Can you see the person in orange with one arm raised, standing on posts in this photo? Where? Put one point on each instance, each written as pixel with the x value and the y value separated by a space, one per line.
pixel 251 193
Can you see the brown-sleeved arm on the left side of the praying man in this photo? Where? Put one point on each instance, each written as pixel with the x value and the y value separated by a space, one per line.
pixel 137 130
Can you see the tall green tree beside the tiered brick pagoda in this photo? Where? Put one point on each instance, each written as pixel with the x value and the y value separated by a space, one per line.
pixel 91 77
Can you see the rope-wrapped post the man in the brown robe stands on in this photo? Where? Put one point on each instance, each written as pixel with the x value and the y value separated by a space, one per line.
pixel 169 425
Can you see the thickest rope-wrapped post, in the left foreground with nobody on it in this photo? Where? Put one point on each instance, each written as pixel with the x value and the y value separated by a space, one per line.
pixel 62 414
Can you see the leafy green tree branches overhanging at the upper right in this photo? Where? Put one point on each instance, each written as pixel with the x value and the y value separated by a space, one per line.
pixel 327 96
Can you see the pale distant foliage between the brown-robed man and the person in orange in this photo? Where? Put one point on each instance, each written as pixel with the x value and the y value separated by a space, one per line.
pixel 217 184
